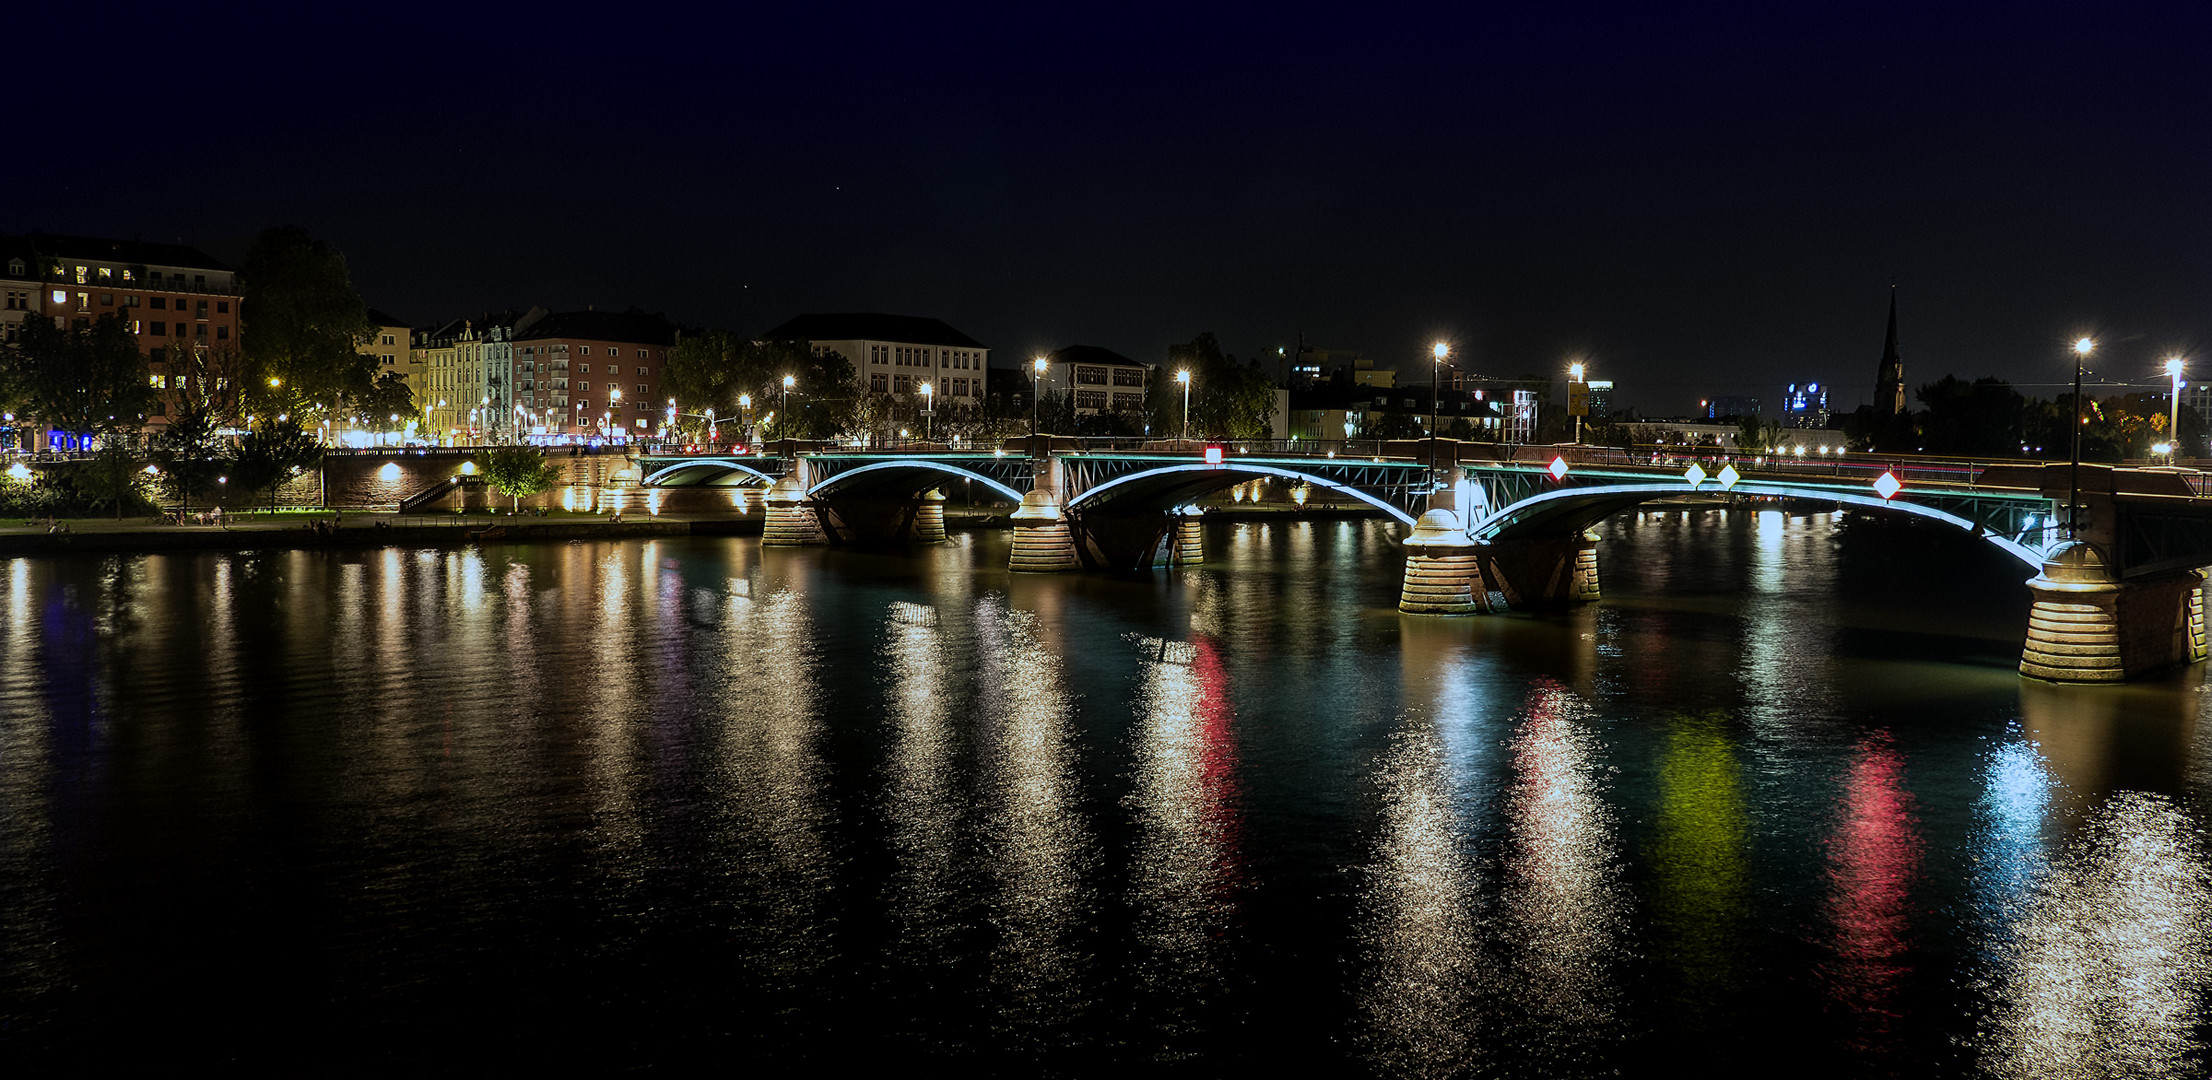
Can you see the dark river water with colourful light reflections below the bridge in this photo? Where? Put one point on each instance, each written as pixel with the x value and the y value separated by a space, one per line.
pixel 1777 804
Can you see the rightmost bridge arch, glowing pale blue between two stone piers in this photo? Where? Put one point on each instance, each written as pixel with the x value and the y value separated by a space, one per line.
pixel 2014 523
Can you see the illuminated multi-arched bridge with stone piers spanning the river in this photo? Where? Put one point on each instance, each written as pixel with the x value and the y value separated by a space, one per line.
pixel 1512 521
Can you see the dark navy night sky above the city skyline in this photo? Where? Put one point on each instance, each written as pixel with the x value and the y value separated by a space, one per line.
pixel 1702 200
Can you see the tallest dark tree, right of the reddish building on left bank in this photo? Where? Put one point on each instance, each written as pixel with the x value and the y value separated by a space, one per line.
pixel 302 324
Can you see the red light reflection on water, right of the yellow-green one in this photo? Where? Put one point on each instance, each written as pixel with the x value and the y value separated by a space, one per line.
pixel 1875 858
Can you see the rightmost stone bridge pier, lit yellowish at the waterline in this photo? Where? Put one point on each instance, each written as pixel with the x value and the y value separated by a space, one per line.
pixel 2087 627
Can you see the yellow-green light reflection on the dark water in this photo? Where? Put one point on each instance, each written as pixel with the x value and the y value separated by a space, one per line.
pixel 1698 862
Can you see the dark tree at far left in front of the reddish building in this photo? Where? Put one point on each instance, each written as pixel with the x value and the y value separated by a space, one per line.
pixel 87 380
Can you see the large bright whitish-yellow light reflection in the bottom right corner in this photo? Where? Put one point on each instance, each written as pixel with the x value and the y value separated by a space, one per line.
pixel 2109 968
